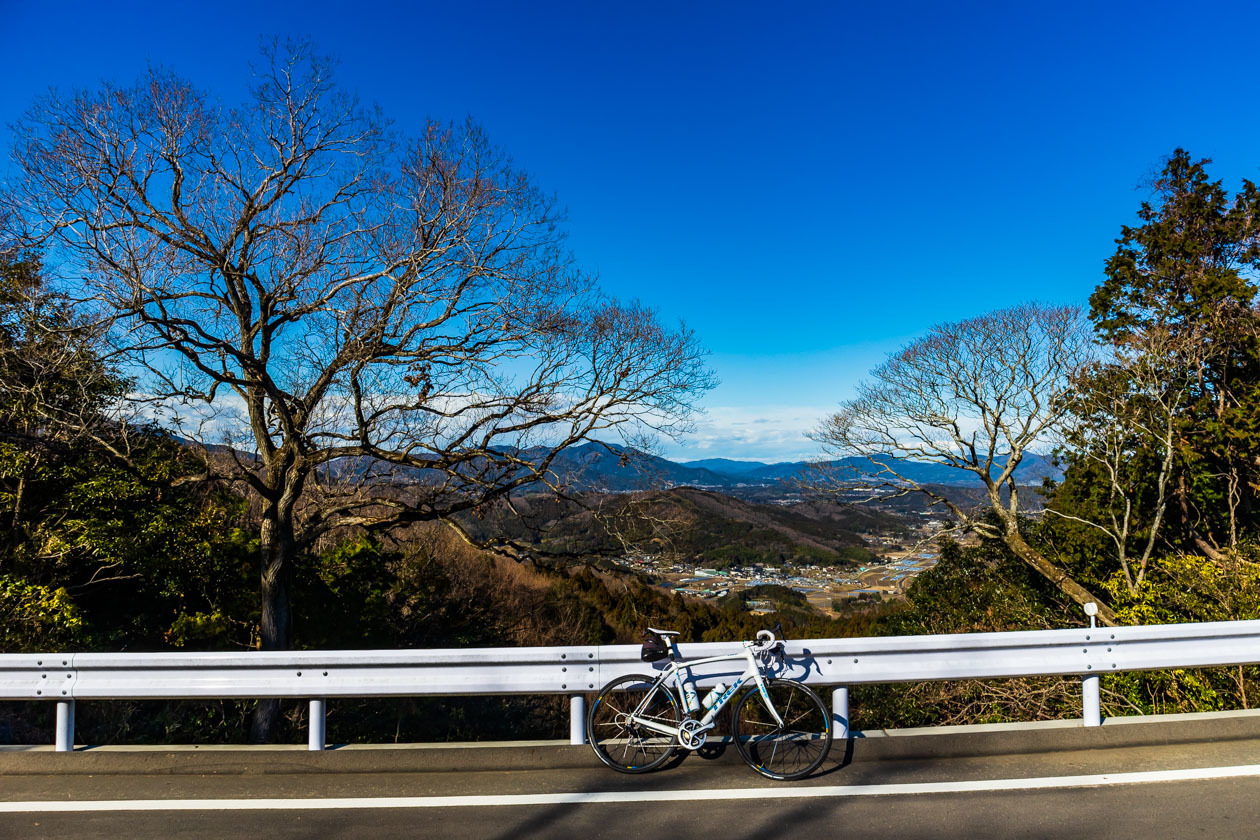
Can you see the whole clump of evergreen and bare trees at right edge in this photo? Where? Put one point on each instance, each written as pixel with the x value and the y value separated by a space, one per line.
pixel 1162 473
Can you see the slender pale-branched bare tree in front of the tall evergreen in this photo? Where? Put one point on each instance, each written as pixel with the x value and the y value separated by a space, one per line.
pixel 1127 412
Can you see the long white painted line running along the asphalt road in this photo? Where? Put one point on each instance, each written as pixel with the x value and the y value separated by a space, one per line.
pixel 1097 780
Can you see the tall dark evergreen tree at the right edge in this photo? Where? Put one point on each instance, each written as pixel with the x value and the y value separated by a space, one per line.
pixel 1185 274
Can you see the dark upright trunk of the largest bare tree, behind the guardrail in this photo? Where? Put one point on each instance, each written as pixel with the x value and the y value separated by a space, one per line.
pixel 279 551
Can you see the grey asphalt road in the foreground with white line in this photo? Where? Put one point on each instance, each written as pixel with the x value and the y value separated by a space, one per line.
pixel 1121 788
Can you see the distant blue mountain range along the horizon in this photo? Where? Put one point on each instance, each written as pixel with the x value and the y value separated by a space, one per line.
pixel 598 467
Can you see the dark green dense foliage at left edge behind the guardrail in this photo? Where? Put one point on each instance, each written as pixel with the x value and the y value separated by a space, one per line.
pixel 104 547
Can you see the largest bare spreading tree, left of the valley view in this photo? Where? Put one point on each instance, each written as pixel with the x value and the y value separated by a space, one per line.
pixel 385 331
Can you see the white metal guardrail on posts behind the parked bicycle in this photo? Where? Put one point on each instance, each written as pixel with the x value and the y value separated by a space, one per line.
pixel 580 671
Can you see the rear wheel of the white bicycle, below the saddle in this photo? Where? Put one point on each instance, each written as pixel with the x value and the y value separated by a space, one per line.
pixel 623 745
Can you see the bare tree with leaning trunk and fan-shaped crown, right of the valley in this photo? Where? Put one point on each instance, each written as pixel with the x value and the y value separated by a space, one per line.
pixel 973 396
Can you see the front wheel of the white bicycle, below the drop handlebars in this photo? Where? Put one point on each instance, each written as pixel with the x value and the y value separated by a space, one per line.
pixel 788 752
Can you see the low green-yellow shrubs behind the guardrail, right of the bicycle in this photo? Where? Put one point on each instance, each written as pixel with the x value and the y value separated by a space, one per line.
pixel 983 589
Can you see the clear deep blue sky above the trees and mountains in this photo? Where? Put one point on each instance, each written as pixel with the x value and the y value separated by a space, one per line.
pixel 807 186
